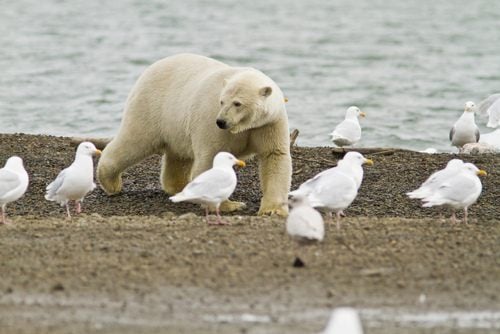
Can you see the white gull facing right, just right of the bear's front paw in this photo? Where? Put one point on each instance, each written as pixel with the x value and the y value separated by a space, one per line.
pixel 335 189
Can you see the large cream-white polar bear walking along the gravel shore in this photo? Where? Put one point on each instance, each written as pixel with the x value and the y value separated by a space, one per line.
pixel 188 108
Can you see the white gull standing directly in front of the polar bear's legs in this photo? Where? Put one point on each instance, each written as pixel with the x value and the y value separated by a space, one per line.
pixel 213 186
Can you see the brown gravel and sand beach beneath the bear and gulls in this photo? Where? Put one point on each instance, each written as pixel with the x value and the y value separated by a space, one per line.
pixel 136 263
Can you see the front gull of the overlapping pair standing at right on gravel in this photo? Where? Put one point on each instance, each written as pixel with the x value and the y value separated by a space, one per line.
pixel 459 191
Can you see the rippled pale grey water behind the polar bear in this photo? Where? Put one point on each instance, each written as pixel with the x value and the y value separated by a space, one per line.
pixel 66 67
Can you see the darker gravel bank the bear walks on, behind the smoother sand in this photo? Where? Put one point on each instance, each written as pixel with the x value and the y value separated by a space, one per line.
pixel 382 193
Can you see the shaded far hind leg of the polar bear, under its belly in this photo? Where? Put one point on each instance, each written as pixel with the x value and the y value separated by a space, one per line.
pixel 175 173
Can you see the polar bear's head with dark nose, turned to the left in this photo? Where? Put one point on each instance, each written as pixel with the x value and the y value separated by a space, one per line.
pixel 247 101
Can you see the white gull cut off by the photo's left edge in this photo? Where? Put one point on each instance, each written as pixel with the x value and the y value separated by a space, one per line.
pixel 13 183
